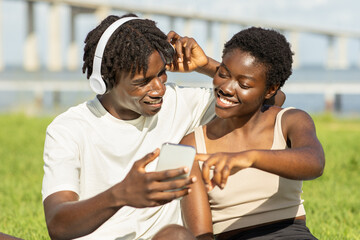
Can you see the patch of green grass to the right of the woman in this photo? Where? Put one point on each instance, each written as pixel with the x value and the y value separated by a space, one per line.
pixel 332 201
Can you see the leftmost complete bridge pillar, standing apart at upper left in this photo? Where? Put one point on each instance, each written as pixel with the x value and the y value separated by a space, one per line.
pixel 31 58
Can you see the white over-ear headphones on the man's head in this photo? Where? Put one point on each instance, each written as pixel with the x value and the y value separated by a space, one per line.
pixel 97 84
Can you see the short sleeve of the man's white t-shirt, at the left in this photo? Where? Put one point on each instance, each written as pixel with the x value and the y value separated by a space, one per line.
pixel 61 161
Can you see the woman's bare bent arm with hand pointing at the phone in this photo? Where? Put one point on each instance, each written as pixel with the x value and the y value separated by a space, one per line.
pixel 305 159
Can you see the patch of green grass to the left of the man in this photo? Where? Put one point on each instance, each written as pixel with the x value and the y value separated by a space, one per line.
pixel 21 171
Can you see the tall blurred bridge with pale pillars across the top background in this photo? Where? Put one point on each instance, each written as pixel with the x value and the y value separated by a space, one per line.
pixel 337 40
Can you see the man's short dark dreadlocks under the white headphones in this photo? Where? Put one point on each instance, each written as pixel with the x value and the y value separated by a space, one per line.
pixel 127 50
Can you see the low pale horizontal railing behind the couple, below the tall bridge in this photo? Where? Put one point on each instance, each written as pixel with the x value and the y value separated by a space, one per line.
pixel 332 92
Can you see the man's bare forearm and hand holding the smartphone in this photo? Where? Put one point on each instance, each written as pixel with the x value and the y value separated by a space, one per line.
pixel 68 218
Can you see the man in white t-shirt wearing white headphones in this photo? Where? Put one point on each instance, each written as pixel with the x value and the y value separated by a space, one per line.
pixel 99 180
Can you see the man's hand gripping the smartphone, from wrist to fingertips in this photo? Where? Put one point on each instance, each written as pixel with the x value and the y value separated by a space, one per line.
pixel 148 189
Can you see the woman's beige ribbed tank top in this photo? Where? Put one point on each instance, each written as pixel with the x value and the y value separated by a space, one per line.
pixel 252 196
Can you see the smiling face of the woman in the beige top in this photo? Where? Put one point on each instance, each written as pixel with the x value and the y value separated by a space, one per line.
pixel 239 85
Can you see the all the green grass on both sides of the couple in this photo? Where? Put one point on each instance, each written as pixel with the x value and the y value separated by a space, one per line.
pixel 332 201
